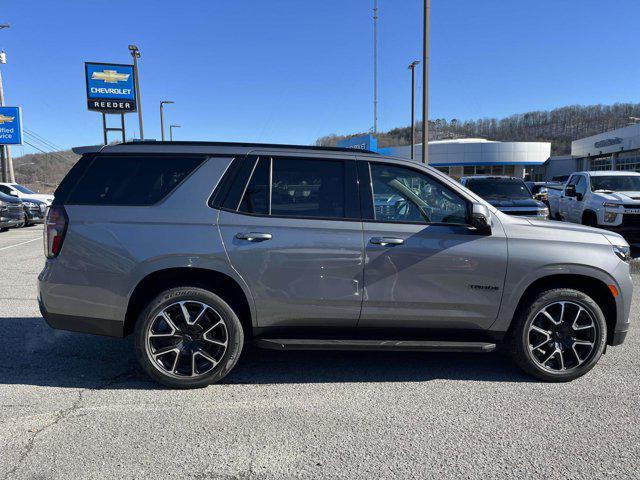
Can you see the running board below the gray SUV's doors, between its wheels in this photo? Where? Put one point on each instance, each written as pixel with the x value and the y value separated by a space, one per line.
pixel 394 345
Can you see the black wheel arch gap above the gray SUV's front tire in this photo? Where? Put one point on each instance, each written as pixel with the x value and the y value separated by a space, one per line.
pixel 594 287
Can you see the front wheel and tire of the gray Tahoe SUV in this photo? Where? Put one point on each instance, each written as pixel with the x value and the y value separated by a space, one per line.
pixel 565 350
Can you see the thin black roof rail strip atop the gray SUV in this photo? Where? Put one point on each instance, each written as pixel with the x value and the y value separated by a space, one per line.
pixel 227 145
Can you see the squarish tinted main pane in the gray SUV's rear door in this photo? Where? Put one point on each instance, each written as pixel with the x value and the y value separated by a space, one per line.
pixel 308 188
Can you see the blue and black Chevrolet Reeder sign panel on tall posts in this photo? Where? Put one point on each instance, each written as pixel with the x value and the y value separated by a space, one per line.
pixel 110 87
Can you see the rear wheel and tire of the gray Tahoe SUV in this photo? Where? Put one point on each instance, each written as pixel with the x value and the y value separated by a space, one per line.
pixel 196 354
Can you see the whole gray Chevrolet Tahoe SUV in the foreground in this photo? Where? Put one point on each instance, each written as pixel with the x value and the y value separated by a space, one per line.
pixel 197 248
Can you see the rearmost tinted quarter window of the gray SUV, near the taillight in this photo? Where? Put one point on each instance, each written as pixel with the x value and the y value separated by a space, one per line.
pixel 130 179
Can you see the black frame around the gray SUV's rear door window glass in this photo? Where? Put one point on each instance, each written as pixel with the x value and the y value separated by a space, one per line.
pixel 350 178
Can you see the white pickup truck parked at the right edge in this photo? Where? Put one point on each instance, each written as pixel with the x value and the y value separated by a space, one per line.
pixel 605 199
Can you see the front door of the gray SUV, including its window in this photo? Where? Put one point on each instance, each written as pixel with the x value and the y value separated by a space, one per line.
pixel 425 267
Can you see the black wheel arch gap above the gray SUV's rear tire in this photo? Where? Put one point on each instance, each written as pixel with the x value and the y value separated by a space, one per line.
pixel 217 282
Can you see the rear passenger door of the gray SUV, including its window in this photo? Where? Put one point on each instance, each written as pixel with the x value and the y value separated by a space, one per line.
pixel 295 236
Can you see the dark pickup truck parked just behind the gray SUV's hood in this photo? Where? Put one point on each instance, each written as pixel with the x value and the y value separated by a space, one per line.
pixel 508 194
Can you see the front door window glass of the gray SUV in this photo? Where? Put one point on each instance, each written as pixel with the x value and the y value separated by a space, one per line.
pixel 408 196
